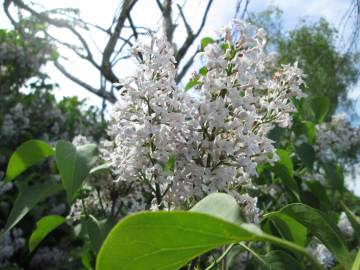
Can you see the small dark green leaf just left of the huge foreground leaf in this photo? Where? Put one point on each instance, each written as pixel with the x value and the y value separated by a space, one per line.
pixel 97 231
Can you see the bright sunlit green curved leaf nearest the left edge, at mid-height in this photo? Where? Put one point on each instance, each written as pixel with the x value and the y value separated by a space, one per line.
pixel 27 155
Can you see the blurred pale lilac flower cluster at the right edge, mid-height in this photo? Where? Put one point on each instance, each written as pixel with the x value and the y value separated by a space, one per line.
pixel 336 137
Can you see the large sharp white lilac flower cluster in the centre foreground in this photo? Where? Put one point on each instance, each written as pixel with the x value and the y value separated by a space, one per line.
pixel 216 140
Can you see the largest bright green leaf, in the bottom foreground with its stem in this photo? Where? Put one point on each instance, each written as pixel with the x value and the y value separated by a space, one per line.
pixel 168 240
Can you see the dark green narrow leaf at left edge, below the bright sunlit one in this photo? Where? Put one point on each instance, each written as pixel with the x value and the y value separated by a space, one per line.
pixel 27 199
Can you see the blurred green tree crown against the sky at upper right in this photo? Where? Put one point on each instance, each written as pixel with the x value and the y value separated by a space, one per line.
pixel 331 73
